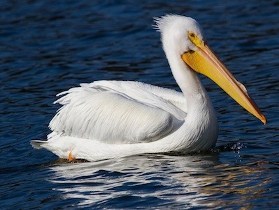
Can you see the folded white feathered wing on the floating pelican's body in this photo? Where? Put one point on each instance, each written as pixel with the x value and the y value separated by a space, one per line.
pixel 119 112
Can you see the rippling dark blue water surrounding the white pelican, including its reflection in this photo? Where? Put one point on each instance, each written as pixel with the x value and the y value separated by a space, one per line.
pixel 49 46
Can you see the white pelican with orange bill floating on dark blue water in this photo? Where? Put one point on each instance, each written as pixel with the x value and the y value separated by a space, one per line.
pixel 110 119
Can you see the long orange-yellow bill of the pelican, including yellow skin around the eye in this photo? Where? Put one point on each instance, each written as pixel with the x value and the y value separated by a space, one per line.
pixel 205 62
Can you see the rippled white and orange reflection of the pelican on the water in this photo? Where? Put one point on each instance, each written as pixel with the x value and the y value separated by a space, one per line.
pixel 183 181
